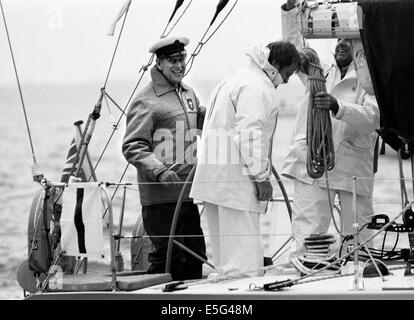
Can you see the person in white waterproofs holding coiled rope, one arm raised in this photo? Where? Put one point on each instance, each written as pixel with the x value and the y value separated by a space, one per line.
pixel 355 116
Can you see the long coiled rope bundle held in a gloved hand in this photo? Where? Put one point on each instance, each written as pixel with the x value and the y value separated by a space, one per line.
pixel 321 153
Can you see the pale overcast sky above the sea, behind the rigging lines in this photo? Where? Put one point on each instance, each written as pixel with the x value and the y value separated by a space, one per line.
pixel 66 41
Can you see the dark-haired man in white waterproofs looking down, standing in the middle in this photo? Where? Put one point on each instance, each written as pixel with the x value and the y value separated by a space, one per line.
pixel 234 160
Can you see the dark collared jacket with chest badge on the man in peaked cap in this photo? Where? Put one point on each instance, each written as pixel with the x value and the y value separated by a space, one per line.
pixel 161 132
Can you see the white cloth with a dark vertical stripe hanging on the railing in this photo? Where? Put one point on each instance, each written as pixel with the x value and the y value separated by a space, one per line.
pixel 81 220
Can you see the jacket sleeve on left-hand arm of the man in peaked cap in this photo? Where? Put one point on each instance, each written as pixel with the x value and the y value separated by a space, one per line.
pixel 137 143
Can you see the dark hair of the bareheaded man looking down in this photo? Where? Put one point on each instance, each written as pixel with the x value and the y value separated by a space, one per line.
pixel 283 54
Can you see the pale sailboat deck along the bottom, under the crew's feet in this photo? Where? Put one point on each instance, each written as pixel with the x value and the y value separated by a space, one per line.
pixel 395 286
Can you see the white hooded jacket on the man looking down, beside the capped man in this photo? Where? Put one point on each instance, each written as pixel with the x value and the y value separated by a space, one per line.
pixel 237 137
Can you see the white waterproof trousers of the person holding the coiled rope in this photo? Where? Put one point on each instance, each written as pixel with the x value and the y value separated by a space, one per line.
pixel 311 212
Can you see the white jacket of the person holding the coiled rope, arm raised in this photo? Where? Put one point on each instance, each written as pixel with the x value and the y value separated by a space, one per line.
pixel 353 126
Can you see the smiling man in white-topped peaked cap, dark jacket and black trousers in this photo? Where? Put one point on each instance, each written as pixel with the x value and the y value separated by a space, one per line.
pixel 160 142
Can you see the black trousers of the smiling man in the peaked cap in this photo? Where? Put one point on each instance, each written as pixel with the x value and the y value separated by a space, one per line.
pixel 157 222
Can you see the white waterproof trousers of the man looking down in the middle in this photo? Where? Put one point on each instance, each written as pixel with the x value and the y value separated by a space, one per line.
pixel 234 236
